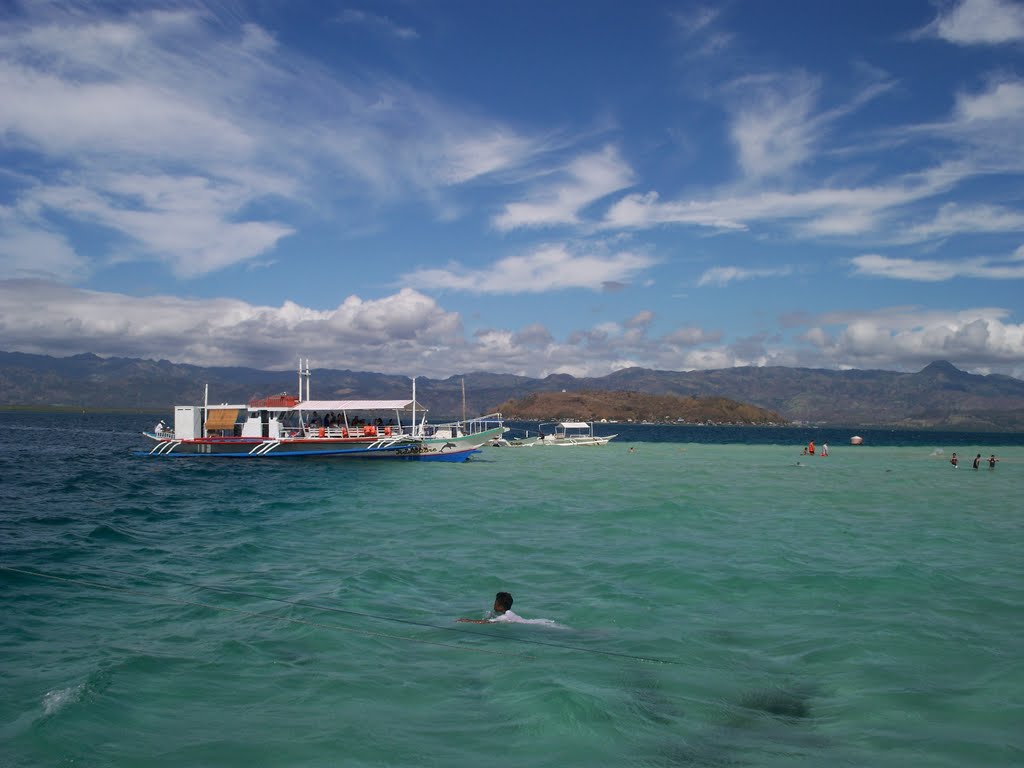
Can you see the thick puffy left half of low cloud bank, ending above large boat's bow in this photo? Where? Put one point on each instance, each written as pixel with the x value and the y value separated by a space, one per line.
pixel 393 334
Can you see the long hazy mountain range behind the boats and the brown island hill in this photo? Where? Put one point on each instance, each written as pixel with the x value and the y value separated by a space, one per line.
pixel 940 396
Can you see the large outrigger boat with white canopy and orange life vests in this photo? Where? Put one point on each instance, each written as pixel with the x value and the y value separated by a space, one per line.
pixel 289 426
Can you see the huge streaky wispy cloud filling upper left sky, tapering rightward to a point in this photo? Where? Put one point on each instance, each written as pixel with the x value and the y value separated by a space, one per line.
pixel 190 105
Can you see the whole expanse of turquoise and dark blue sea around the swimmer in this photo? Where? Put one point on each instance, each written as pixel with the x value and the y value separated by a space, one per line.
pixel 719 604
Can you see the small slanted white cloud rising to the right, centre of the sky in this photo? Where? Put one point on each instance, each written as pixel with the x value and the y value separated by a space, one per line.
pixel 583 182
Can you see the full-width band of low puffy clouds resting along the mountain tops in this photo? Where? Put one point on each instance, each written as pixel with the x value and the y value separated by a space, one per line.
pixel 411 334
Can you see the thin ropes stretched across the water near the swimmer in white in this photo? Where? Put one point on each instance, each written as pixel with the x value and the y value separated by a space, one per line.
pixel 334 610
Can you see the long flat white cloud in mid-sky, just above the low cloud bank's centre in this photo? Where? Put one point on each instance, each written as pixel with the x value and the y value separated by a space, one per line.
pixel 554 268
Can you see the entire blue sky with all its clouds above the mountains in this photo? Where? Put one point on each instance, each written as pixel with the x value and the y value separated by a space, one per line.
pixel 434 188
